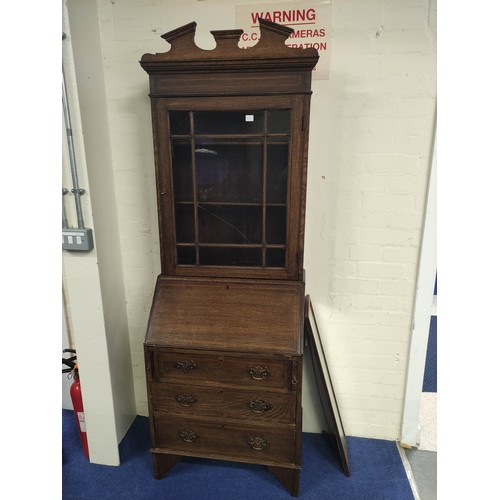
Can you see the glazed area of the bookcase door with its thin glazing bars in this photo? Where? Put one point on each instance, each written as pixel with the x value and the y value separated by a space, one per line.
pixel 230 187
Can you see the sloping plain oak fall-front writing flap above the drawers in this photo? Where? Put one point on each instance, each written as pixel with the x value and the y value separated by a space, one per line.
pixel 253 315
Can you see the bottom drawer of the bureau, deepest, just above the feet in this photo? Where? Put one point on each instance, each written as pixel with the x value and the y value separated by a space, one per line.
pixel 254 444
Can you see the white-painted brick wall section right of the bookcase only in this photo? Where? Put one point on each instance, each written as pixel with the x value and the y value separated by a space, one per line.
pixel 376 114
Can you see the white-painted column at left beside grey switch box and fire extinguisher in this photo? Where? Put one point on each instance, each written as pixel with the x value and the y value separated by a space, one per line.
pixel 93 281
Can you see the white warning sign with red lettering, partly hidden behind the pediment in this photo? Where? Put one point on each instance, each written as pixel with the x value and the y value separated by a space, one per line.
pixel 311 22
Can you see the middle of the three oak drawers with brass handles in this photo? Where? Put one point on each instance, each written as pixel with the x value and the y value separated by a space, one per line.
pixel 252 406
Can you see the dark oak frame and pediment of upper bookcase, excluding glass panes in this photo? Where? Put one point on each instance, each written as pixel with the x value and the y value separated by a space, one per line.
pixel 268 76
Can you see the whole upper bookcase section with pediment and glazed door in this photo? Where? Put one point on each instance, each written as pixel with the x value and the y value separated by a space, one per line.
pixel 230 130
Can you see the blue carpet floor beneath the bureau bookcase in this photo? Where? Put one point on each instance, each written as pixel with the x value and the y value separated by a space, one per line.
pixel 377 472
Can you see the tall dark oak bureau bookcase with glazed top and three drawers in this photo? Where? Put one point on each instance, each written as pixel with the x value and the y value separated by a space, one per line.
pixel 224 343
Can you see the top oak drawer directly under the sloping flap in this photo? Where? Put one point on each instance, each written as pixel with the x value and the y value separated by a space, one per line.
pixel 181 367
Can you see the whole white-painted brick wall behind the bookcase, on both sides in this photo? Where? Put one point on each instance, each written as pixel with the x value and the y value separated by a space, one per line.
pixel 370 144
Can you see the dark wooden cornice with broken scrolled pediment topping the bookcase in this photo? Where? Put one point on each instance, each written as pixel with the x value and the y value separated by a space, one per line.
pixel 269 53
